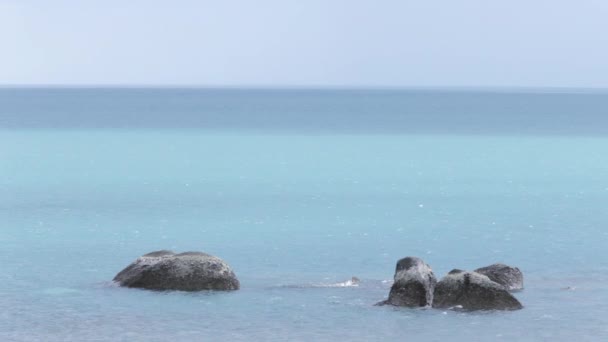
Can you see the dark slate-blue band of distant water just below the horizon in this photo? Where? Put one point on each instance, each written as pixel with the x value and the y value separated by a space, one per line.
pixel 309 111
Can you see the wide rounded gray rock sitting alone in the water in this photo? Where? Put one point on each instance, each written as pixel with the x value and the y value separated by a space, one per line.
pixel 190 271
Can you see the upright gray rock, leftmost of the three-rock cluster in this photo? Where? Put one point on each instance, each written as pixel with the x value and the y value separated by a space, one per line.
pixel 414 284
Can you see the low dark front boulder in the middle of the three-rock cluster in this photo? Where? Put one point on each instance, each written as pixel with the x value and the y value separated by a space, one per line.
pixel 472 291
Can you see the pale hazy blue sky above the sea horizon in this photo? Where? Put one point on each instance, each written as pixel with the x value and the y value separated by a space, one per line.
pixel 305 42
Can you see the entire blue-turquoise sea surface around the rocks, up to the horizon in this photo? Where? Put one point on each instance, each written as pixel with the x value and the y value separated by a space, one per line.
pixel 299 190
